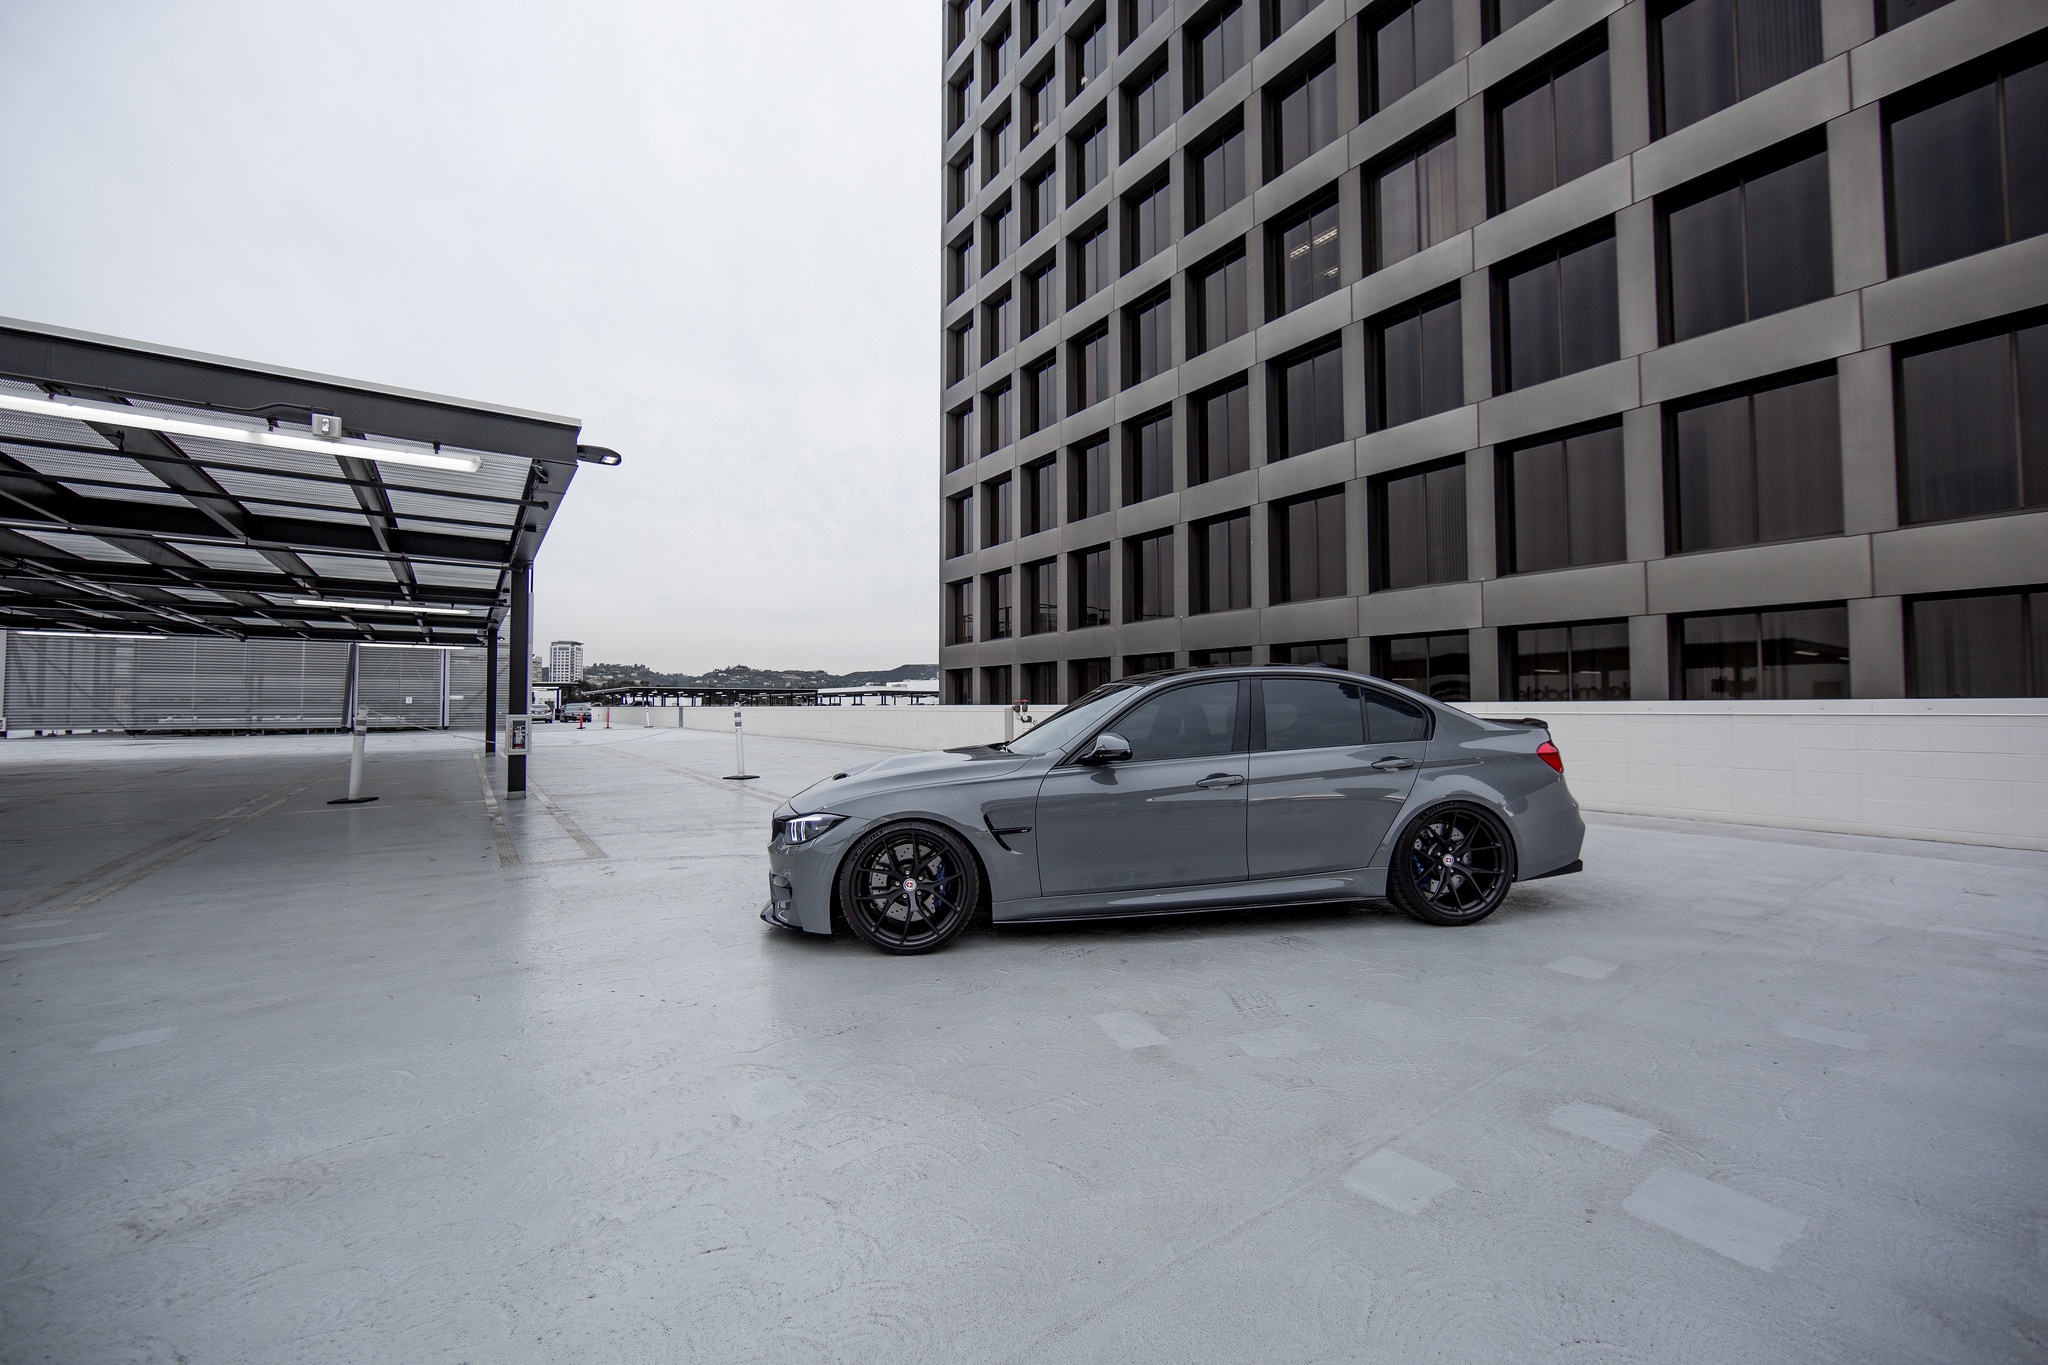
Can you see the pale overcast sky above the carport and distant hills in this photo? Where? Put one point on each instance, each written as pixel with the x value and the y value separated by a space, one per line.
pixel 706 228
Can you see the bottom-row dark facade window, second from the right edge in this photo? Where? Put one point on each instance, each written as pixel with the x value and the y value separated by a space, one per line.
pixel 1785 656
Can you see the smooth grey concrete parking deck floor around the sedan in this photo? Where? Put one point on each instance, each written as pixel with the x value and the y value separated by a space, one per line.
pixel 417 1082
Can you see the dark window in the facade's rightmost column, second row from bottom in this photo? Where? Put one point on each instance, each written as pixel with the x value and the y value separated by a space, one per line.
pixel 1973 423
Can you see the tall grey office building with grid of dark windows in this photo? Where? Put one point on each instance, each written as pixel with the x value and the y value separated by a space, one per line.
pixel 1508 349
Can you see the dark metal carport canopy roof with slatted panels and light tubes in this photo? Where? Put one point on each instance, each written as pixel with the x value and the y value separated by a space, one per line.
pixel 300 509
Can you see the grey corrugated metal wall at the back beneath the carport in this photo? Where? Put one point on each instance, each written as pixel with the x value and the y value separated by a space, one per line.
pixel 210 685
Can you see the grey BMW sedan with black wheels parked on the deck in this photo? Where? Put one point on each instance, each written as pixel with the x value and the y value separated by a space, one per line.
pixel 1185 791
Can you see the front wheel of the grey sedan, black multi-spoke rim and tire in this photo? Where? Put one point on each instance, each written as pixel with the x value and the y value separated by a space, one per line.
pixel 931 914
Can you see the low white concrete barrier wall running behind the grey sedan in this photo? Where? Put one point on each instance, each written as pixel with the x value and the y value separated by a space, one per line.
pixel 1963 773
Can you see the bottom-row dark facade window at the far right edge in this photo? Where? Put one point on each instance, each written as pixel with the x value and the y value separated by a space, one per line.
pixel 1979 646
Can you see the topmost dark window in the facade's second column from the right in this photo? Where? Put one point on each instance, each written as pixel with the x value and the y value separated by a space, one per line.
pixel 1717 52
